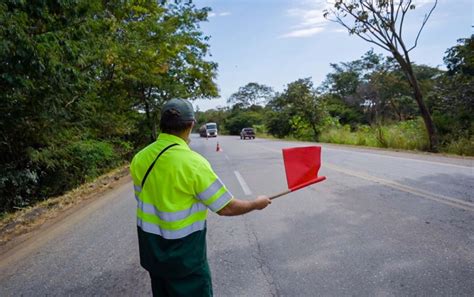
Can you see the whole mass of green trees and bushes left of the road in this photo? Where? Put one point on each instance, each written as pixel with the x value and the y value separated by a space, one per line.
pixel 82 83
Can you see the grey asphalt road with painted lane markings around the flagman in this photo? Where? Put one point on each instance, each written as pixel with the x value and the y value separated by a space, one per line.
pixel 382 224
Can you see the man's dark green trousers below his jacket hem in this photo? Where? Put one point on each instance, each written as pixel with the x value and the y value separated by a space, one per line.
pixel 196 284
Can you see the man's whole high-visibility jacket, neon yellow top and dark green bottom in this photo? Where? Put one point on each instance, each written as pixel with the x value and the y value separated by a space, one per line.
pixel 172 205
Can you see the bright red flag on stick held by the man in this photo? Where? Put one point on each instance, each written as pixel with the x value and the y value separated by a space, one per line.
pixel 301 166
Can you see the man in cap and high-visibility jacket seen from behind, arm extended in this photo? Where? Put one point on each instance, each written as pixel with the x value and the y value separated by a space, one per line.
pixel 174 186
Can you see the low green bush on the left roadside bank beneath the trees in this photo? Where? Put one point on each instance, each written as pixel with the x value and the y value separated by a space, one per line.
pixel 57 169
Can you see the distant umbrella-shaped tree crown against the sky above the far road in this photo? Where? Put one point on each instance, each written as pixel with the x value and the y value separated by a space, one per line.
pixel 251 93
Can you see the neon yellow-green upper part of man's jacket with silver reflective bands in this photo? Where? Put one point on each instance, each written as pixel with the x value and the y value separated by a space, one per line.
pixel 178 191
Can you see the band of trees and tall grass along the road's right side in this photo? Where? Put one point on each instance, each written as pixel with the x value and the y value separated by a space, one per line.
pixel 364 102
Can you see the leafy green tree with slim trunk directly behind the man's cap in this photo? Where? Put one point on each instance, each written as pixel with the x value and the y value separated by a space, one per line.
pixel 161 54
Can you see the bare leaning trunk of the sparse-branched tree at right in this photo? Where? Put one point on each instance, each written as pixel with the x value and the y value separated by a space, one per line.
pixel 407 68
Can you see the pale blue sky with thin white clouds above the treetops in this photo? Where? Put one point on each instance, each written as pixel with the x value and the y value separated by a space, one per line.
pixel 275 42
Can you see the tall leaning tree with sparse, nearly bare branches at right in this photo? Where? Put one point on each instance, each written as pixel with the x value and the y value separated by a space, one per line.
pixel 381 23
